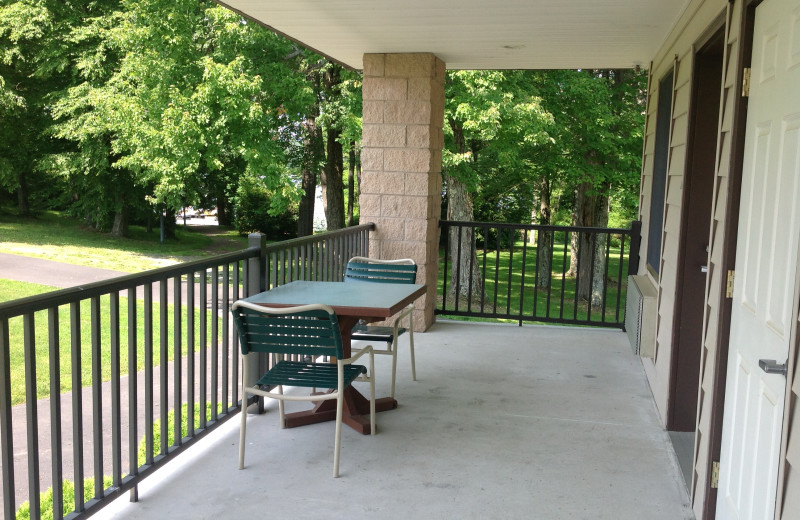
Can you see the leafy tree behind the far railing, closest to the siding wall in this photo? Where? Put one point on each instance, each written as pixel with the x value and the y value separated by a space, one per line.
pixel 596 150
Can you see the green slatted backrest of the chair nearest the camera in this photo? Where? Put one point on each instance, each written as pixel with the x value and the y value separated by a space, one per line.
pixel 313 332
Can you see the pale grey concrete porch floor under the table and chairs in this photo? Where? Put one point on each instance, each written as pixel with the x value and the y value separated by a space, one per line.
pixel 533 422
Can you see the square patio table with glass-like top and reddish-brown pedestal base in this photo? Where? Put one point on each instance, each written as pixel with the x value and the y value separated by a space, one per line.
pixel 351 302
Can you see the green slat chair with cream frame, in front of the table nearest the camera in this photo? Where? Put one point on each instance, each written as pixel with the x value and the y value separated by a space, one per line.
pixel 294 335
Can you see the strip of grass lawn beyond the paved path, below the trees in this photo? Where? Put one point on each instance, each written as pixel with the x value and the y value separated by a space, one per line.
pixel 54 236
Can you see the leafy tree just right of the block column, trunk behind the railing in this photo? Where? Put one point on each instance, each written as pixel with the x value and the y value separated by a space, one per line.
pixel 495 128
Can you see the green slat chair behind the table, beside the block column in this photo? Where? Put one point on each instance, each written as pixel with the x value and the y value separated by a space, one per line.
pixel 371 270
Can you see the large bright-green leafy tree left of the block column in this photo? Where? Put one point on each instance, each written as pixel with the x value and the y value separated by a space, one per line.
pixel 194 101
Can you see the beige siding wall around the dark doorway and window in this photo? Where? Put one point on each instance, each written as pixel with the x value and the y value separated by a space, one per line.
pixel 698 20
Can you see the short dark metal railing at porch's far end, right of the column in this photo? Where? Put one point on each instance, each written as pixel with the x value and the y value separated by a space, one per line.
pixel 555 274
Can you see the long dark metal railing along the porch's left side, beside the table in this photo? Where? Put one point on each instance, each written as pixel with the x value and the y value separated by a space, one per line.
pixel 131 371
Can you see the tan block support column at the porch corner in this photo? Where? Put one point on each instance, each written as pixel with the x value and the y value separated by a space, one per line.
pixel 401 183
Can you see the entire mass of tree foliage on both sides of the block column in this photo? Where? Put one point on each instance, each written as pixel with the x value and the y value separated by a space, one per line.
pixel 119 110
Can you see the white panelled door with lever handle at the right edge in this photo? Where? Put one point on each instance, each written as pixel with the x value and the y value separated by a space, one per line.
pixel 766 260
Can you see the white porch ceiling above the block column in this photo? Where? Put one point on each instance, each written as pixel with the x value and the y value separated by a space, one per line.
pixel 476 34
